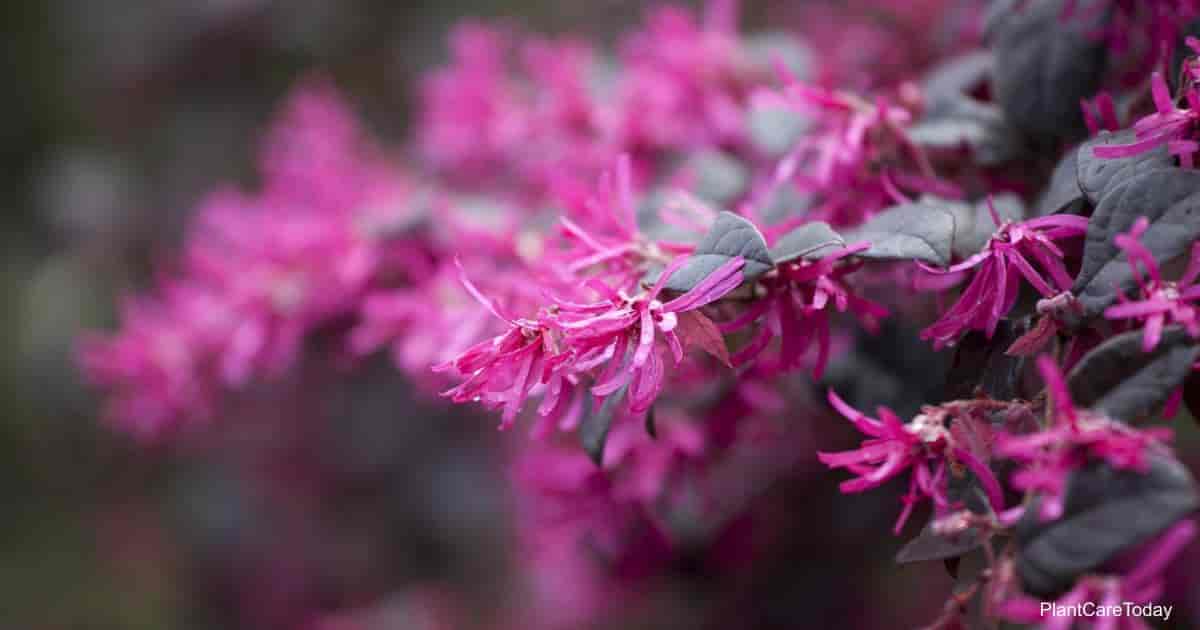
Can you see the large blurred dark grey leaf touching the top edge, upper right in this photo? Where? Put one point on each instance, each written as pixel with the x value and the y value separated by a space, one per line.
pixel 1046 64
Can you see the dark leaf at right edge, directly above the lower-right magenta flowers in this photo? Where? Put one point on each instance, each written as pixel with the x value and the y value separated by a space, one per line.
pixel 1127 383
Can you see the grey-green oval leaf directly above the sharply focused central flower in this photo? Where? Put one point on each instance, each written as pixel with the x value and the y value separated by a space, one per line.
pixel 730 237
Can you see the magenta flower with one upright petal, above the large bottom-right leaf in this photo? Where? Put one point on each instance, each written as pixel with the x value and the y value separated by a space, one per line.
pixel 1073 439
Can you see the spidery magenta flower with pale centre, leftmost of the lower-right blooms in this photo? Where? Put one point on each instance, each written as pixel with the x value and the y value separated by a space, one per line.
pixel 926 446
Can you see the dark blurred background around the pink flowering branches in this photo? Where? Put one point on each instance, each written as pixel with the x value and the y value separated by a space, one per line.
pixel 376 508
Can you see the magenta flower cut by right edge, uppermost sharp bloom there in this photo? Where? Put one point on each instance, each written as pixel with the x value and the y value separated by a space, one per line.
pixel 1168 127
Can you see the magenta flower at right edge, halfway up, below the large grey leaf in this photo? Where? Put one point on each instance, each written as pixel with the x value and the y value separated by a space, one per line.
pixel 1161 303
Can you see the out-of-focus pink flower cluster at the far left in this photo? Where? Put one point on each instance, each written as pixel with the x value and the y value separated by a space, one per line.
pixel 262 272
